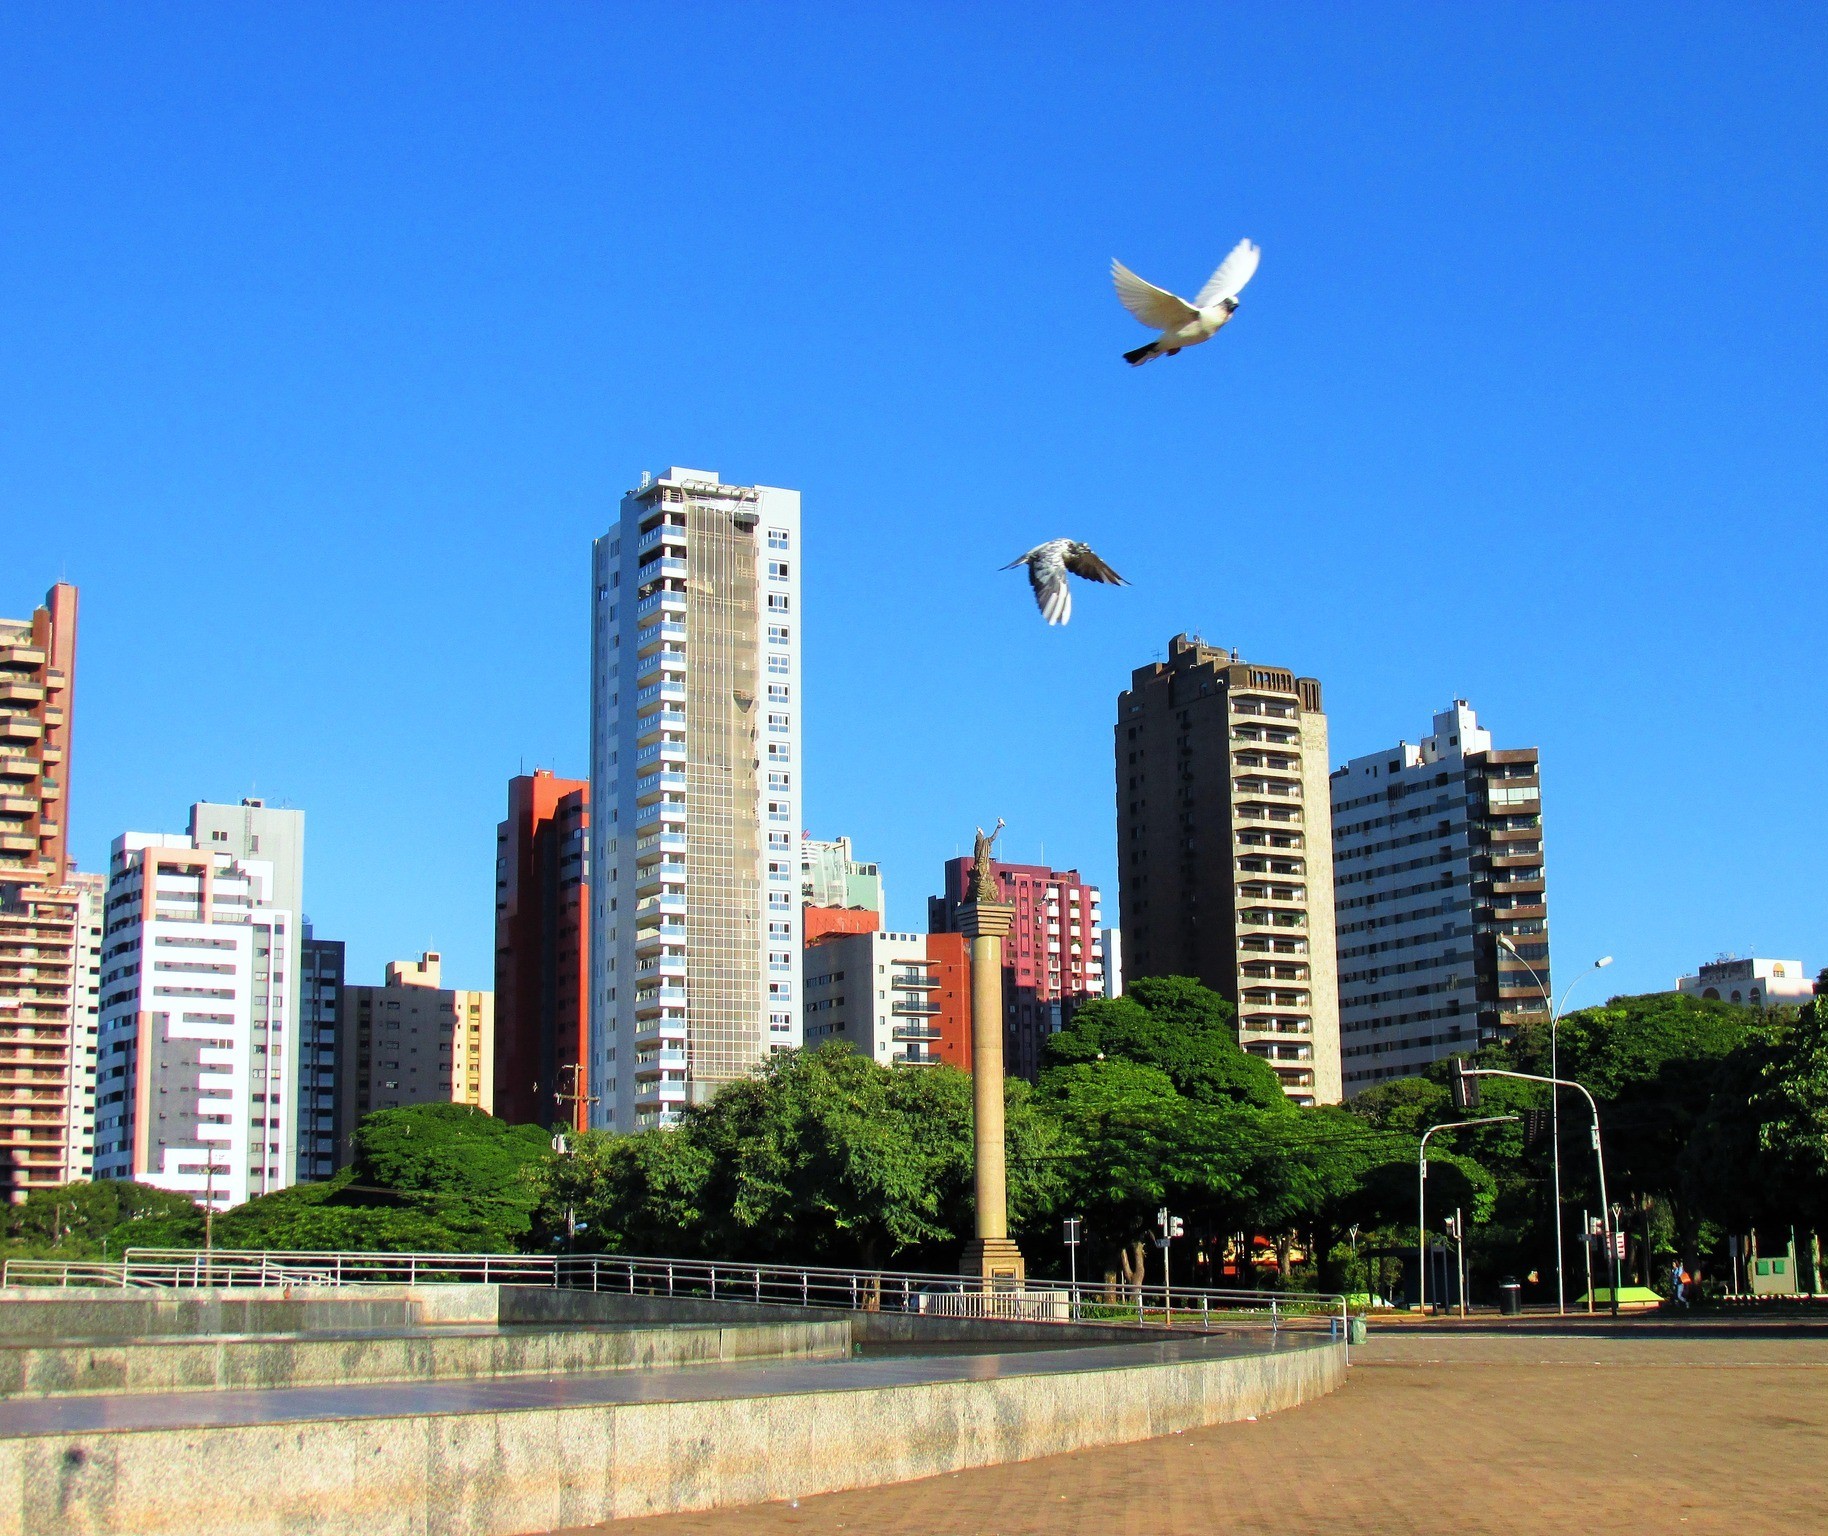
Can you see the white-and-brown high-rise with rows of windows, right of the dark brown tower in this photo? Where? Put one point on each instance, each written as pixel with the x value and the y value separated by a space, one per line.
pixel 1438 853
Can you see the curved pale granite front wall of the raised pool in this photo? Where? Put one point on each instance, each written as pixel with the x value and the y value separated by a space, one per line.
pixel 546 1469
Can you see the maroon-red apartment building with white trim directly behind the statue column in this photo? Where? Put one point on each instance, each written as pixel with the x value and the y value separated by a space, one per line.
pixel 1052 957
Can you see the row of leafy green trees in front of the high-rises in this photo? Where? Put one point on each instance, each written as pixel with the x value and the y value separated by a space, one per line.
pixel 1716 1122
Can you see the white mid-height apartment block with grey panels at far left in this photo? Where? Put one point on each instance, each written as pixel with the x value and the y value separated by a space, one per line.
pixel 198 1036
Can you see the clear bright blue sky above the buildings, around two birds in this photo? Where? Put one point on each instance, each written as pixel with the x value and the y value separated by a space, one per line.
pixel 332 334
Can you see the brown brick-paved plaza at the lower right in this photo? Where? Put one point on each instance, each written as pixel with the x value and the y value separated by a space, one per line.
pixel 1434 1433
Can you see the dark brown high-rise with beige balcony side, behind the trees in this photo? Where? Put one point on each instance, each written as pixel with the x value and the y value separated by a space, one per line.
pixel 1226 851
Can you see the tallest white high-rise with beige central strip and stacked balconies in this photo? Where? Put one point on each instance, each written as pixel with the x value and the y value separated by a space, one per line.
pixel 696 787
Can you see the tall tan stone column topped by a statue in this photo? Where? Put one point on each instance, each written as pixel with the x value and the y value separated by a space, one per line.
pixel 992 1257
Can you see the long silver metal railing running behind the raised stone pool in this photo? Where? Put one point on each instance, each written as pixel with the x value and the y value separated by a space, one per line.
pixel 758 1285
